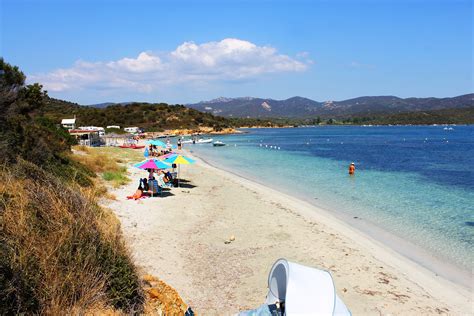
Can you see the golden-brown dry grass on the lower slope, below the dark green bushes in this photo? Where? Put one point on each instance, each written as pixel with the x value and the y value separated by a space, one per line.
pixel 59 251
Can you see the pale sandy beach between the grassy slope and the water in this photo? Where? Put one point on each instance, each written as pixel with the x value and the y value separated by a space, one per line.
pixel 180 238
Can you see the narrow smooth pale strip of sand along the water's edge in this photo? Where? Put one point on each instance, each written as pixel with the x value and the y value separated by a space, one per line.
pixel 437 267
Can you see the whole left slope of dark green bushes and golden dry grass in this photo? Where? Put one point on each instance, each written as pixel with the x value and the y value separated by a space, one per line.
pixel 59 251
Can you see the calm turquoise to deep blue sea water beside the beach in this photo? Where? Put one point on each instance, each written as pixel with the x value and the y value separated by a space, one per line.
pixel 414 182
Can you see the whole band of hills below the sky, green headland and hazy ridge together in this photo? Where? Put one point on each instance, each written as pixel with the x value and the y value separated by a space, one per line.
pixel 363 110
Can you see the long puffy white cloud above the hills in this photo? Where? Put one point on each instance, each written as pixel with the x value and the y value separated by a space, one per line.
pixel 229 59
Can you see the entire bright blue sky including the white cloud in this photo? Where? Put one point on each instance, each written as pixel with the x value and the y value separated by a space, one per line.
pixel 186 51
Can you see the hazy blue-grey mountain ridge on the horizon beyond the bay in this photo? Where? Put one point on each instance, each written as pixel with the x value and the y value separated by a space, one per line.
pixel 299 107
